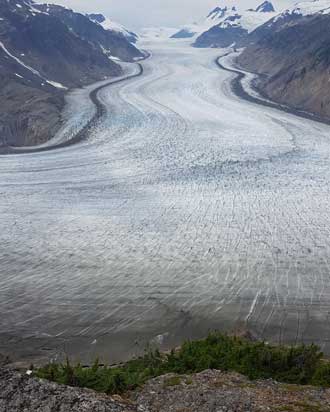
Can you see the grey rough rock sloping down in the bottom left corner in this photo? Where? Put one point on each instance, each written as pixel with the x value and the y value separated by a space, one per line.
pixel 20 393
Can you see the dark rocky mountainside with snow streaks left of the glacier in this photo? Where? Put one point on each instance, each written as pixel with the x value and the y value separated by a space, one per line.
pixel 41 56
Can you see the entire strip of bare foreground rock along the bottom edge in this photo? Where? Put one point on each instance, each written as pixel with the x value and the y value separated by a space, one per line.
pixel 209 391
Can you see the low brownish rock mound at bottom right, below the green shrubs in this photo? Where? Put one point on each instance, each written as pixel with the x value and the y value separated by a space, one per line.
pixel 215 391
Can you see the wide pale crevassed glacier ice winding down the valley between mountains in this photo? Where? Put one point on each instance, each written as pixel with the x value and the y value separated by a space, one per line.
pixel 187 209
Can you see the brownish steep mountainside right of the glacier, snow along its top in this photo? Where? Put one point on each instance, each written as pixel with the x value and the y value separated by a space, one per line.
pixel 293 52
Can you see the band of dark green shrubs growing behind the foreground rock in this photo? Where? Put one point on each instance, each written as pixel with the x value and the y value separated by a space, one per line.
pixel 300 365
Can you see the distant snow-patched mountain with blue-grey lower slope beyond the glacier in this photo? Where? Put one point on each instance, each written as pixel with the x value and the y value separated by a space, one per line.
pixel 233 26
